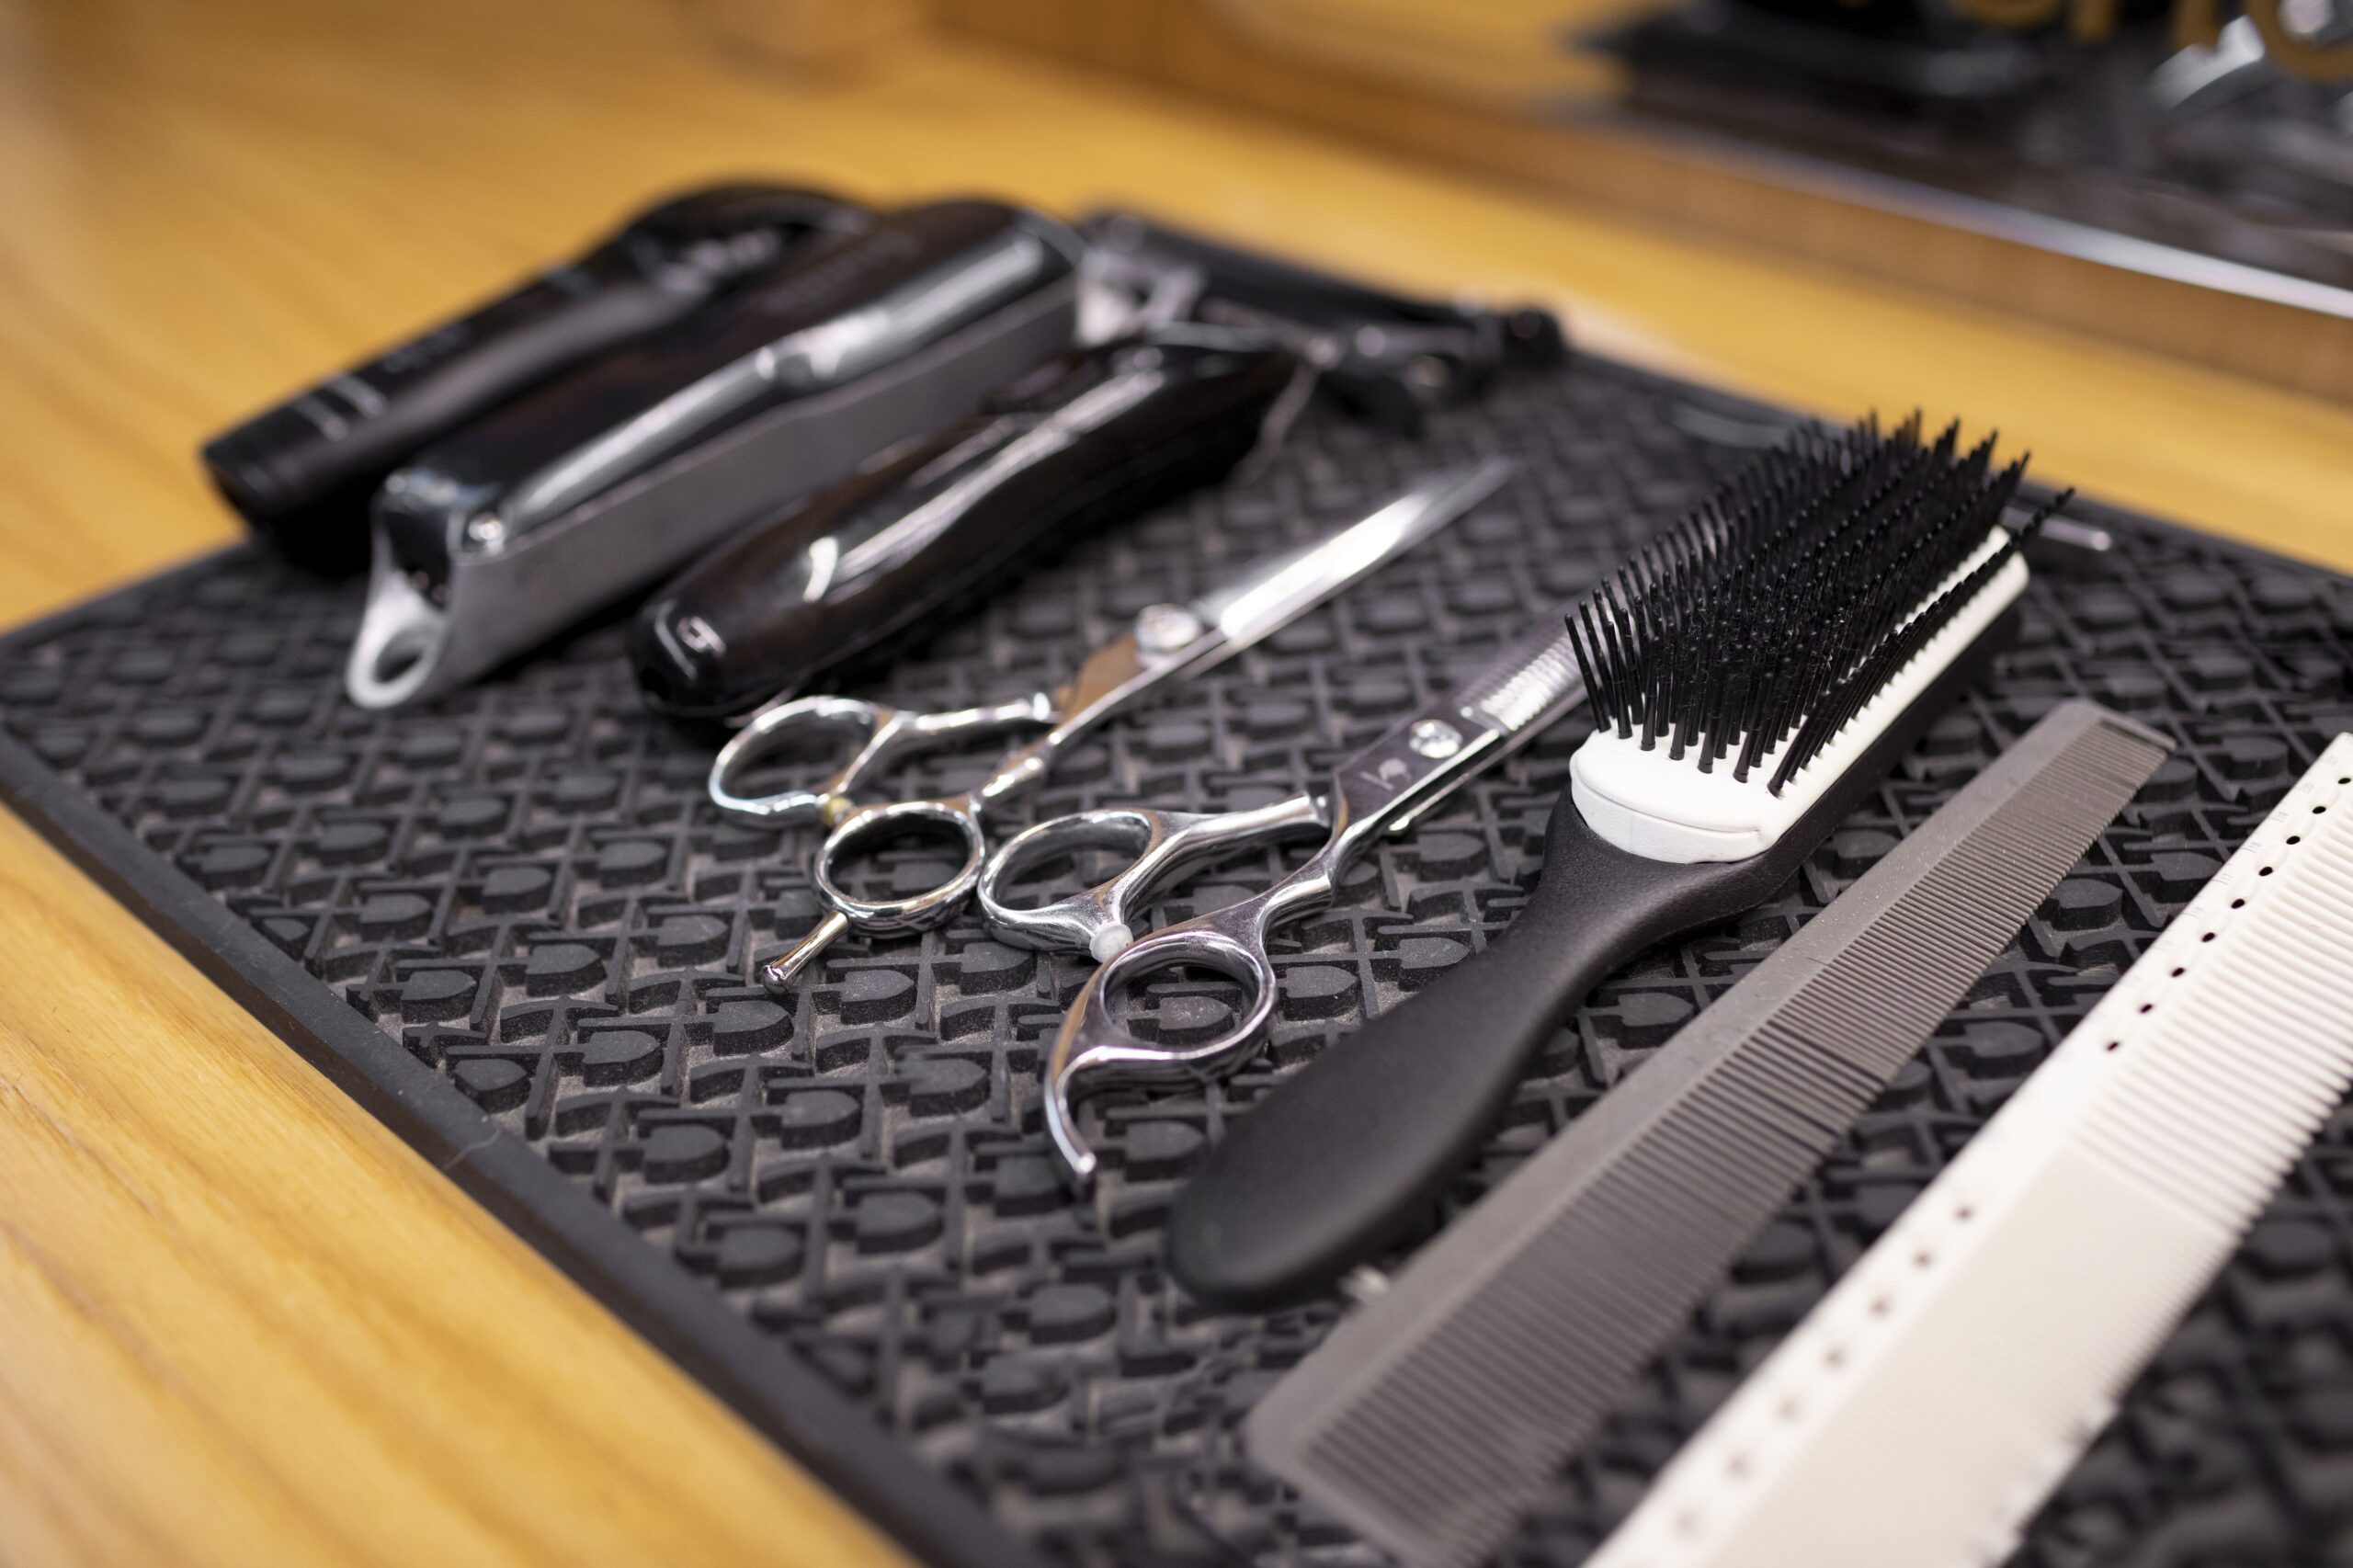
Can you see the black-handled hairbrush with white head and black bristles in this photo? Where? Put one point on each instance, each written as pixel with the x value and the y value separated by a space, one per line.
pixel 1752 634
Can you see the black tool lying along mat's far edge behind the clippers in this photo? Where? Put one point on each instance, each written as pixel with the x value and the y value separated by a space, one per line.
pixel 1382 357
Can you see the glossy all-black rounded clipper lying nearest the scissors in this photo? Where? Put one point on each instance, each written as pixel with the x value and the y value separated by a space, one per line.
pixel 1084 441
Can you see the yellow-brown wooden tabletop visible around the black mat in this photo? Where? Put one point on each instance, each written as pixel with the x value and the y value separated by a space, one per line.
pixel 239 1322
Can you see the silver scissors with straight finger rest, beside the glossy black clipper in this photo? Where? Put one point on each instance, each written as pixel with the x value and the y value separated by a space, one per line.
pixel 1164 646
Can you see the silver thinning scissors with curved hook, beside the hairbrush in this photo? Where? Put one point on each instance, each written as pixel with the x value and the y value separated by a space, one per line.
pixel 1385 788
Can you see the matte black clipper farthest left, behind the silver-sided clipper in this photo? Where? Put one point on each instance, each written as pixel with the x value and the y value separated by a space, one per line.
pixel 302 472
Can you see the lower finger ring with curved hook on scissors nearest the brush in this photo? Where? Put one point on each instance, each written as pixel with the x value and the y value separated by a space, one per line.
pixel 1095 1051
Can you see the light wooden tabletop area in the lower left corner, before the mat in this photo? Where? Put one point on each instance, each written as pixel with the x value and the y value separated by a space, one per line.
pixel 241 1322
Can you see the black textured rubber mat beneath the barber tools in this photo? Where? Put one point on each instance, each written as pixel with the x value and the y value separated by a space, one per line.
pixel 514 929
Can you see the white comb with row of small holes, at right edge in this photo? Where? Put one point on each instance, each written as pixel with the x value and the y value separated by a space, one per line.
pixel 1935 1397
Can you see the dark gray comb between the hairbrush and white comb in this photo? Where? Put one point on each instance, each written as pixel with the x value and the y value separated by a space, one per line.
pixel 1439 1414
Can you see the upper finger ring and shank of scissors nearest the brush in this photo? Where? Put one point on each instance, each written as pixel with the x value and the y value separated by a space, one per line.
pixel 1161 846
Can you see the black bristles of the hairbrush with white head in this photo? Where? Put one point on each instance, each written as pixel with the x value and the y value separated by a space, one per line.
pixel 1768 618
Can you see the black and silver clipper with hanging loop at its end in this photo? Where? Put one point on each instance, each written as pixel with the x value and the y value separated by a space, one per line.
pixel 604 481
